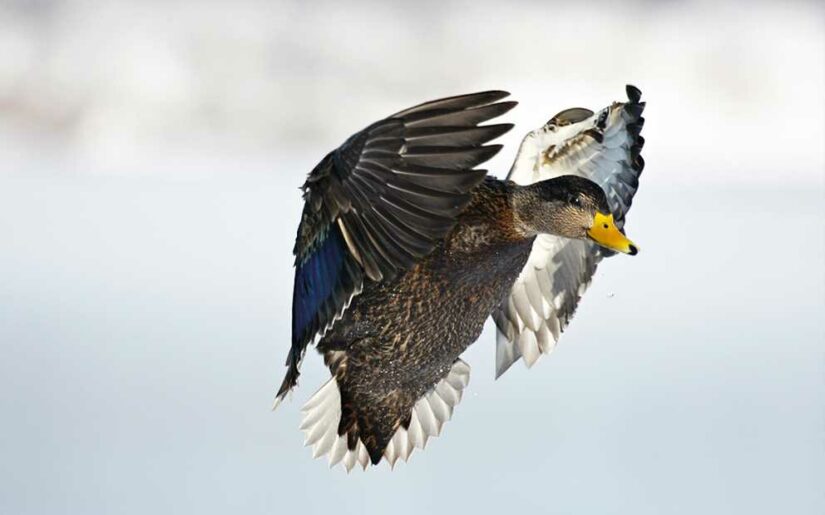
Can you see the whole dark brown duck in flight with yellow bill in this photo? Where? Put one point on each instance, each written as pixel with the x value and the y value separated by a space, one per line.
pixel 405 248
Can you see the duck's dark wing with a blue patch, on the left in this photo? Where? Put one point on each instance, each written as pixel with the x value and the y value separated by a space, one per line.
pixel 381 201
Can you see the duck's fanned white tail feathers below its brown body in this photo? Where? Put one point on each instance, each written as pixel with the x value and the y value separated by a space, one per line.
pixel 322 415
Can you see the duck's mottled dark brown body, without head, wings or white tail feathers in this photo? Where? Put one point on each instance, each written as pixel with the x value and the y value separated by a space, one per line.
pixel 400 337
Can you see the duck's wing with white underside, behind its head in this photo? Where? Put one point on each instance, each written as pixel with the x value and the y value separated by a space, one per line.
pixel 603 147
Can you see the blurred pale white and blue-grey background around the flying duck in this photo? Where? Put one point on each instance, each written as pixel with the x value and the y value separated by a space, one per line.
pixel 150 155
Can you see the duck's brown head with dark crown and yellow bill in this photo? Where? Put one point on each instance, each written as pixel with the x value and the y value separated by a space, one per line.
pixel 572 207
